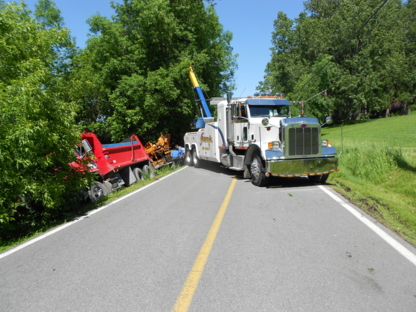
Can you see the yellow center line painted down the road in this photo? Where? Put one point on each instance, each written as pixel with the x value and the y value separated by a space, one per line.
pixel 188 290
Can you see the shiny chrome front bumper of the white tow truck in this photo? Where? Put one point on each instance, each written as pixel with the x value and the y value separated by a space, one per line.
pixel 301 167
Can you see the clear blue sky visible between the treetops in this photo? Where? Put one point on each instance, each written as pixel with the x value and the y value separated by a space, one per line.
pixel 251 23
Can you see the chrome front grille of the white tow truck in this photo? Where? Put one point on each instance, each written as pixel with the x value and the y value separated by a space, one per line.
pixel 303 141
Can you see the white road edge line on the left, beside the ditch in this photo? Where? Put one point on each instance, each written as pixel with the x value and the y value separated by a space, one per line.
pixel 77 219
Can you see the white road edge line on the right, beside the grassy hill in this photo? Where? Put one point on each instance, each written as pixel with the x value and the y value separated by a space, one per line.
pixel 390 240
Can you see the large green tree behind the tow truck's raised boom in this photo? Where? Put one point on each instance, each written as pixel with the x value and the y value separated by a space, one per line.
pixel 134 75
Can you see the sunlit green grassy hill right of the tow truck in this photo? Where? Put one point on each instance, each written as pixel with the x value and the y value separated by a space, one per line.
pixel 378 169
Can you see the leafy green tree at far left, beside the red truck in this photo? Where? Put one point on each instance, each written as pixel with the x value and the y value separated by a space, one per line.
pixel 37 129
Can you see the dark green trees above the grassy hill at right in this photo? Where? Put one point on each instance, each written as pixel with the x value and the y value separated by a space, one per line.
pixel 364 70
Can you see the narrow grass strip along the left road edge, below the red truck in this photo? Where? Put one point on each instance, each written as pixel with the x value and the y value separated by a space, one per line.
pixel 82 209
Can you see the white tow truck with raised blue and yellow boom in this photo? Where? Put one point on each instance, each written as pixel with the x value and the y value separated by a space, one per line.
pixel 257 135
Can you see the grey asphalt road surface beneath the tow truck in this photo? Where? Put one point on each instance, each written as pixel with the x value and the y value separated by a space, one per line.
pixel 288 247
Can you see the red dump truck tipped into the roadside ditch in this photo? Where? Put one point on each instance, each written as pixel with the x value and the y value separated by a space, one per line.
pixel 117 164
